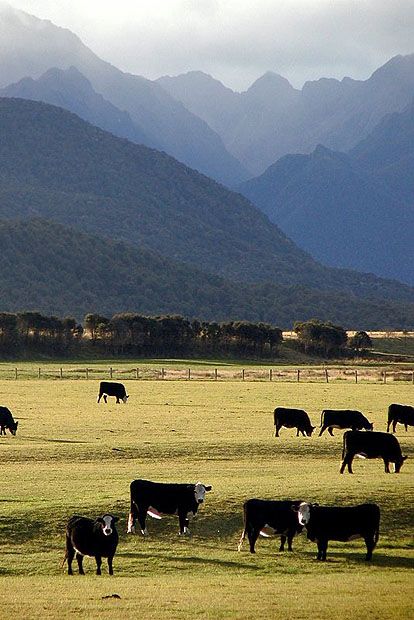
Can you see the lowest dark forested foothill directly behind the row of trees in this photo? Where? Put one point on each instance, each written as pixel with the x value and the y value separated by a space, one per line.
pixel 57 270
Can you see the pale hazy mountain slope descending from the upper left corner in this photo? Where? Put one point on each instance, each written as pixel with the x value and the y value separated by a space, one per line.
pixel 31 46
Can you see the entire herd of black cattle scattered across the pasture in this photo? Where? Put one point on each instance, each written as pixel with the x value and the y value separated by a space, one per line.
pixel 99 538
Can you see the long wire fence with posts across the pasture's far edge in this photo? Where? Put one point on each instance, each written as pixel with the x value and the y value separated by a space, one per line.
pixel 291 375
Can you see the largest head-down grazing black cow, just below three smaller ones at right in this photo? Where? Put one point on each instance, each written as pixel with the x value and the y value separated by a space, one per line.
pixel 371 446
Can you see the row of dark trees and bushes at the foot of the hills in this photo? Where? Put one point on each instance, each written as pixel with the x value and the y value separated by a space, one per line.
pixel 27 334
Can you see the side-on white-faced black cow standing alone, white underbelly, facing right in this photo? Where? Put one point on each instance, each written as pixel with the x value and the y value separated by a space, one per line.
pixel 157 498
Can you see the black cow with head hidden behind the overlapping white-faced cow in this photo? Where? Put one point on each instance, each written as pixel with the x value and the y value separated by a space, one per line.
pixel 277 515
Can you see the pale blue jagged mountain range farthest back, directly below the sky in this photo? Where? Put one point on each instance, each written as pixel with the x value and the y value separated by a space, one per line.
pixel 272 119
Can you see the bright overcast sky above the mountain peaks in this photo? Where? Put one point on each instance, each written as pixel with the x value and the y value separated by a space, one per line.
pixel 236 41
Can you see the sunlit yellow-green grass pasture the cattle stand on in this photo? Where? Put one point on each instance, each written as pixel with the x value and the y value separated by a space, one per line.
pixel 72 455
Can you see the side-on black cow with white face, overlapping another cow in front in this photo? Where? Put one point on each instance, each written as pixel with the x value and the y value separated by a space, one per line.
pixel 325 523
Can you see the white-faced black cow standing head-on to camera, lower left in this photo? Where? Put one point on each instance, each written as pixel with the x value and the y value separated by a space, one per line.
pixel 98 539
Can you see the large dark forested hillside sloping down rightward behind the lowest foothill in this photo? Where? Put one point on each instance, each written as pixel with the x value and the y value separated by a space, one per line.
pixel 56 166
